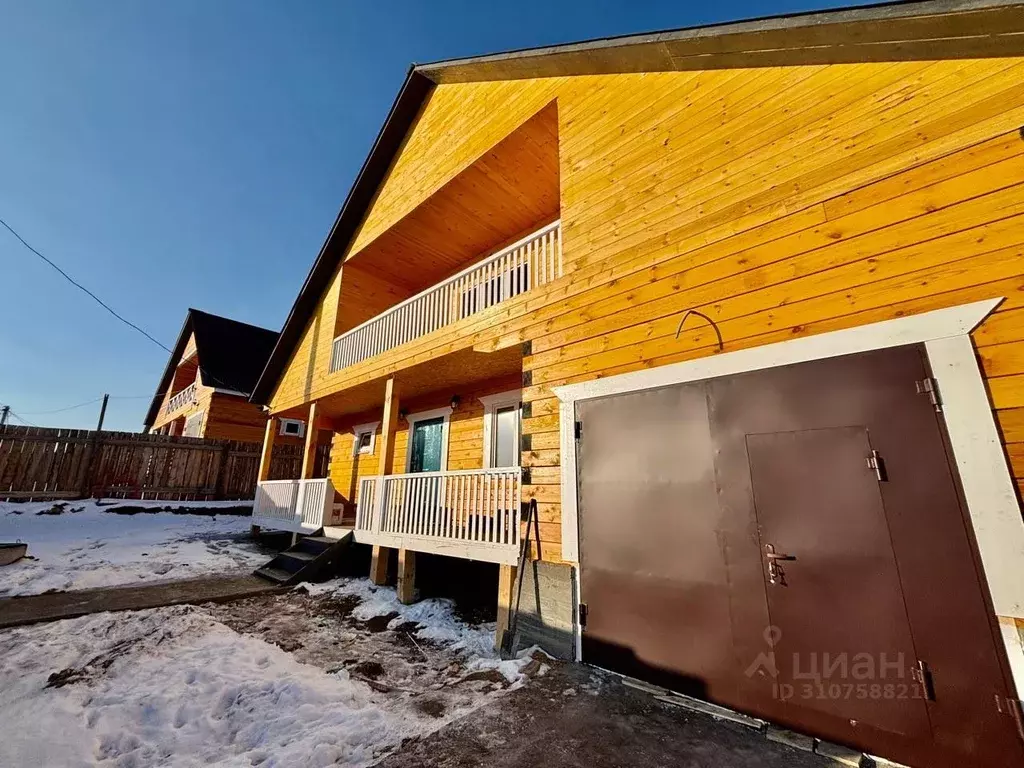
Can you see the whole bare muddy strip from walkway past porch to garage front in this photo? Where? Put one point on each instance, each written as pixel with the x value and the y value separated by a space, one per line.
pixel 568 715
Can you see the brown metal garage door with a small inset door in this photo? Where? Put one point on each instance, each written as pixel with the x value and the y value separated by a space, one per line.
pixel 792 543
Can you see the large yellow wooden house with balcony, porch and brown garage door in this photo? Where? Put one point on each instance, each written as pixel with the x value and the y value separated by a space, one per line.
pixel 750 298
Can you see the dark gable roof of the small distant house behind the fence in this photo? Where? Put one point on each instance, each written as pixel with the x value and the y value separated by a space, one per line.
pixel 232 355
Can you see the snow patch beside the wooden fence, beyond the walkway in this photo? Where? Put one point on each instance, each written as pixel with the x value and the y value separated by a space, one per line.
pixel 90 545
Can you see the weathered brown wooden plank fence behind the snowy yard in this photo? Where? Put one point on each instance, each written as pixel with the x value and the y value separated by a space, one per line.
pixel 41 464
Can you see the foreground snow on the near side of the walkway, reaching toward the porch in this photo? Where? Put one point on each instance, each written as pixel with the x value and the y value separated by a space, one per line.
pixel 175 688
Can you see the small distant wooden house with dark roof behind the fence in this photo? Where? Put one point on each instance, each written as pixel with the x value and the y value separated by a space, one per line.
pixel 205 389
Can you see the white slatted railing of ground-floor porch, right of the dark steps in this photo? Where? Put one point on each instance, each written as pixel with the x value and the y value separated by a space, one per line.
pixel 473 515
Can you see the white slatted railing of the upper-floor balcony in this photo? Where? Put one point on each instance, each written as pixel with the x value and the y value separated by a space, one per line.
pixel 533 262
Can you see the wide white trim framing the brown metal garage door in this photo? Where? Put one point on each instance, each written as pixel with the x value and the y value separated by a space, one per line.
pixel 978 452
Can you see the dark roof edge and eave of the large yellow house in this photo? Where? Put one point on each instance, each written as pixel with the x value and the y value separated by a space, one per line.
pixel 888 32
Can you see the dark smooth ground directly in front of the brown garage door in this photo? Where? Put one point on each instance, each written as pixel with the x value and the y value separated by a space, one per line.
pixel 578 718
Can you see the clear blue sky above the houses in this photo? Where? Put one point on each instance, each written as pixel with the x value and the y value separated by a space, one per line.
pixel 195 154
